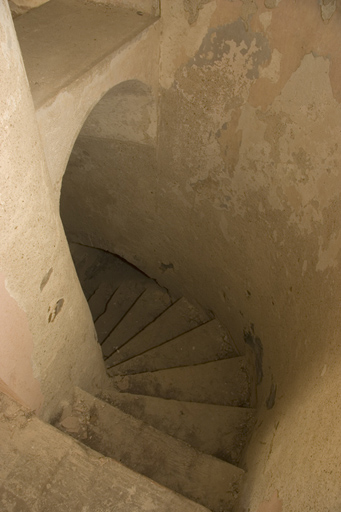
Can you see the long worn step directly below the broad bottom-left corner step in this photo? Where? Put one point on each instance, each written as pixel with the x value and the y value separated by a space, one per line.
pixel 168 461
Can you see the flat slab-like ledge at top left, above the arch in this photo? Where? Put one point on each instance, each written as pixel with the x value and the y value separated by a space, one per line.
pixel 63 39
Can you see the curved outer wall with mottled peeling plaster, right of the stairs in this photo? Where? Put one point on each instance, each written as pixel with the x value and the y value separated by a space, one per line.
pixel 237 205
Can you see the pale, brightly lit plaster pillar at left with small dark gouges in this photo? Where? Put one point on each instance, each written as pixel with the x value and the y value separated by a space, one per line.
pixel 48 343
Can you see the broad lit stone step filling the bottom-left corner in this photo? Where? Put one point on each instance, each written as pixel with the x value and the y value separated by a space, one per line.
pixel 42 469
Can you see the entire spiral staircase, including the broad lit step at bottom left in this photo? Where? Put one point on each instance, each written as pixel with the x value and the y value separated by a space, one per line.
pixel 168 431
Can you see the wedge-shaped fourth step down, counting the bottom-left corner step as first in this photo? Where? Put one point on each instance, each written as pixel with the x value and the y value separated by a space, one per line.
pixel 222 382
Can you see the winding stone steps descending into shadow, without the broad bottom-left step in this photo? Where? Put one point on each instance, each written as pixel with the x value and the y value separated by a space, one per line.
pixel 179 409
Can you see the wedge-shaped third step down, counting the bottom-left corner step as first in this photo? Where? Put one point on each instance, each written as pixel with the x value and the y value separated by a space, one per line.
pixel 217 430
